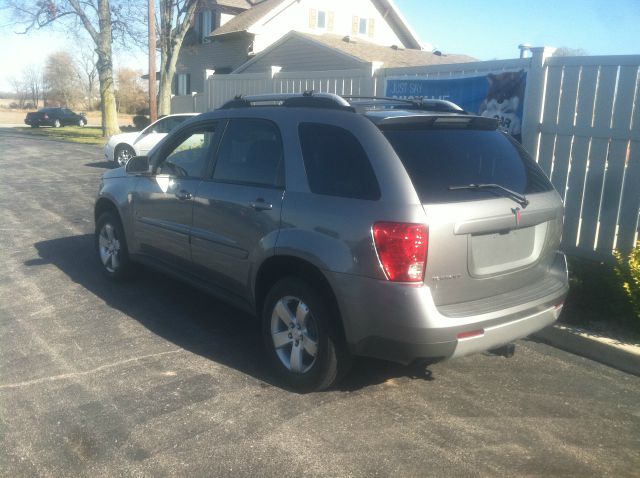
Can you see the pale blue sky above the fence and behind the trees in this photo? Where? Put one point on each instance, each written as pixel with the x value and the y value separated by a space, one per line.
pixel 484 29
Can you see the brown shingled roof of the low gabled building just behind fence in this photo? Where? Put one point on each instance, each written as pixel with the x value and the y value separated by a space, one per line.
pixel 366 52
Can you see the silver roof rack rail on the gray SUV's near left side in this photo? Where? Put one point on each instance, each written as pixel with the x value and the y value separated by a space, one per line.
pixel 308 99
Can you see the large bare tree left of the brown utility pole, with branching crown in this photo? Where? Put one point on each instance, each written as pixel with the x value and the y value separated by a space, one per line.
pixel 103 20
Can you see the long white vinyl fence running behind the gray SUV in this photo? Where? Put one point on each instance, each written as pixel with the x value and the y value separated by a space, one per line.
pixel 581 123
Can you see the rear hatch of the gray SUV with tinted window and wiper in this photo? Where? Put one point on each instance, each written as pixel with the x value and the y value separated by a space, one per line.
pixel 494 219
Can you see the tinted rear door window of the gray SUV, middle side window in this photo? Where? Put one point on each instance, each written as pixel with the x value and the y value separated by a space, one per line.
pixel 251 153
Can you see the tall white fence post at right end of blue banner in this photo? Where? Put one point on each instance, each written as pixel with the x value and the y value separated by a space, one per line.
pixel 534 99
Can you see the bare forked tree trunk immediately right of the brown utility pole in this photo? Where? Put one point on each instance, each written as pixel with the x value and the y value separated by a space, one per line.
pixel 176 17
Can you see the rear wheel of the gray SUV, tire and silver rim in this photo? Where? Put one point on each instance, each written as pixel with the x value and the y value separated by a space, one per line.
pixel 301 338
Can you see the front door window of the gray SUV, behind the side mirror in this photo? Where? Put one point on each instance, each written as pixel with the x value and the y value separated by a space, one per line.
pixel 188 159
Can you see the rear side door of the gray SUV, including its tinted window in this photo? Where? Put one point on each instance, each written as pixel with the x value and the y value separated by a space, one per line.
pixel 236 216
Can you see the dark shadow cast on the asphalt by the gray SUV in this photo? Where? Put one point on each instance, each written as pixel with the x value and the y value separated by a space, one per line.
pixel 190 318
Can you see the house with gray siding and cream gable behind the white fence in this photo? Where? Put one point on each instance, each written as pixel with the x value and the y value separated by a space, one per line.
pixel 233 36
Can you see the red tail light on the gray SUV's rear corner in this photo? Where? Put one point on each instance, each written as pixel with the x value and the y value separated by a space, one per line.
pixel 402 250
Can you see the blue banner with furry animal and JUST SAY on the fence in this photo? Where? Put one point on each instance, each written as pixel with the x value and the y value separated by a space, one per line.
pixel 495 95
